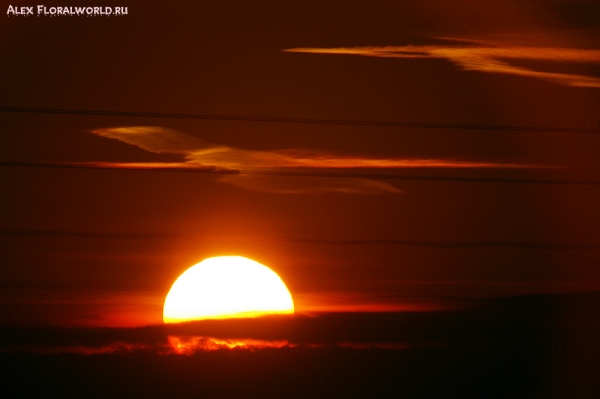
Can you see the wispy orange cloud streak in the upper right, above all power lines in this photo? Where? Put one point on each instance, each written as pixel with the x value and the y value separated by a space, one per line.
pixel 485 56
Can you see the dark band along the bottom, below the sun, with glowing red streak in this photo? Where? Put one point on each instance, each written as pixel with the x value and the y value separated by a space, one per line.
pixel 512 347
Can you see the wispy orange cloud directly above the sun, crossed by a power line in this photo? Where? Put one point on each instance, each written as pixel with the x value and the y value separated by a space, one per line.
pixel 199 154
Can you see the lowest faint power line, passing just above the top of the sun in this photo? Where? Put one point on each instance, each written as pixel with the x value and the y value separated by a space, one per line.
pixel 306 241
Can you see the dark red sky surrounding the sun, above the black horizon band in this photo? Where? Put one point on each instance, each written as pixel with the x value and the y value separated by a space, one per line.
pixel 226 58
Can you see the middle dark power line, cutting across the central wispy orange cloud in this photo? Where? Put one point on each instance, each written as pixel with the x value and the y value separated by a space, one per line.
pixel 344 175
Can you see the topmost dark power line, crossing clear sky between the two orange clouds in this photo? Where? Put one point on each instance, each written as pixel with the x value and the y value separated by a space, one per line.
pixel 316 121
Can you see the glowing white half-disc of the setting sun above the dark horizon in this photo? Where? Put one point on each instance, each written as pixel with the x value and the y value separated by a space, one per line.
pixel 224 287
